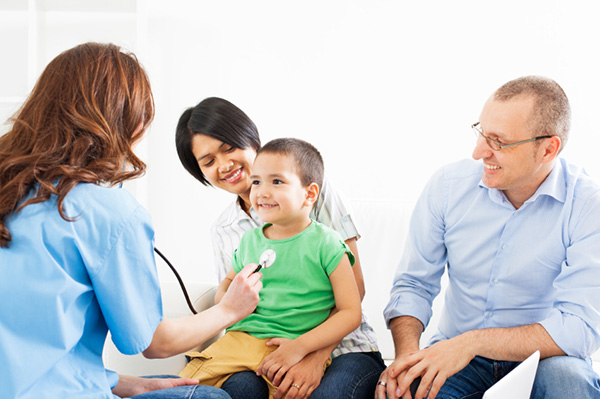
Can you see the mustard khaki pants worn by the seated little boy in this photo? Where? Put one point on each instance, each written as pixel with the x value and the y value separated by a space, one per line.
pixel 234 352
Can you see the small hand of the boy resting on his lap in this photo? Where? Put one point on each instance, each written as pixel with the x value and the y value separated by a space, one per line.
pixel 275 365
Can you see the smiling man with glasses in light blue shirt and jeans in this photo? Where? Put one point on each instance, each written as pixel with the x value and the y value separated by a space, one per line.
pixel 519 234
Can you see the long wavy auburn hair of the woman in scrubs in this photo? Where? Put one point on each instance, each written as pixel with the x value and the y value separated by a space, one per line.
pixel 78 125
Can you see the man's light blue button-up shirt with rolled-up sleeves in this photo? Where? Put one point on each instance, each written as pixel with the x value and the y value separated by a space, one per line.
pixel 507 267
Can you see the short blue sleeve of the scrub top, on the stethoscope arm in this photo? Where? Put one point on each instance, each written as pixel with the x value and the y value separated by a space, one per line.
pixel 126 283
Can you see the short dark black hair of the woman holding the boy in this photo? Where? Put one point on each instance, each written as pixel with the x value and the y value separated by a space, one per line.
pixel 216 118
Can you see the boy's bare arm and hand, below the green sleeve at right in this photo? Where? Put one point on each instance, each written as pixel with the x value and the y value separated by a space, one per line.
pixel 344 319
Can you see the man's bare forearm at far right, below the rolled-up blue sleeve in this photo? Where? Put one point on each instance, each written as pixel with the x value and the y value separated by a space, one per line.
pixel 512 344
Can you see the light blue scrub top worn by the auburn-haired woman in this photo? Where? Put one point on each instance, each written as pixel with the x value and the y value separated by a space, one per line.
pixel 63 285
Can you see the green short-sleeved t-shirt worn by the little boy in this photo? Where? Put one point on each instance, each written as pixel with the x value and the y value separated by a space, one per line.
pixel 297 295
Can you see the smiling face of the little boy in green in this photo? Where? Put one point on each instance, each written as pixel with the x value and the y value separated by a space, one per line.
pixel 277 193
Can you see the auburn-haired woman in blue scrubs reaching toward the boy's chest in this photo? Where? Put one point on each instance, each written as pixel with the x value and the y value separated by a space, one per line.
pixel 76 253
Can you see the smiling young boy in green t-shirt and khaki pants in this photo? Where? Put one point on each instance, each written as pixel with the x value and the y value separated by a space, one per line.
pixel 309 298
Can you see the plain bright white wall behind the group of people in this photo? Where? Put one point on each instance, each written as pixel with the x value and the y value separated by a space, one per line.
pixel 385 89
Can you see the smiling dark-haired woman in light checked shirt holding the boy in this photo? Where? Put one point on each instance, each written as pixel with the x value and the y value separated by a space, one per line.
pixel 217 143
